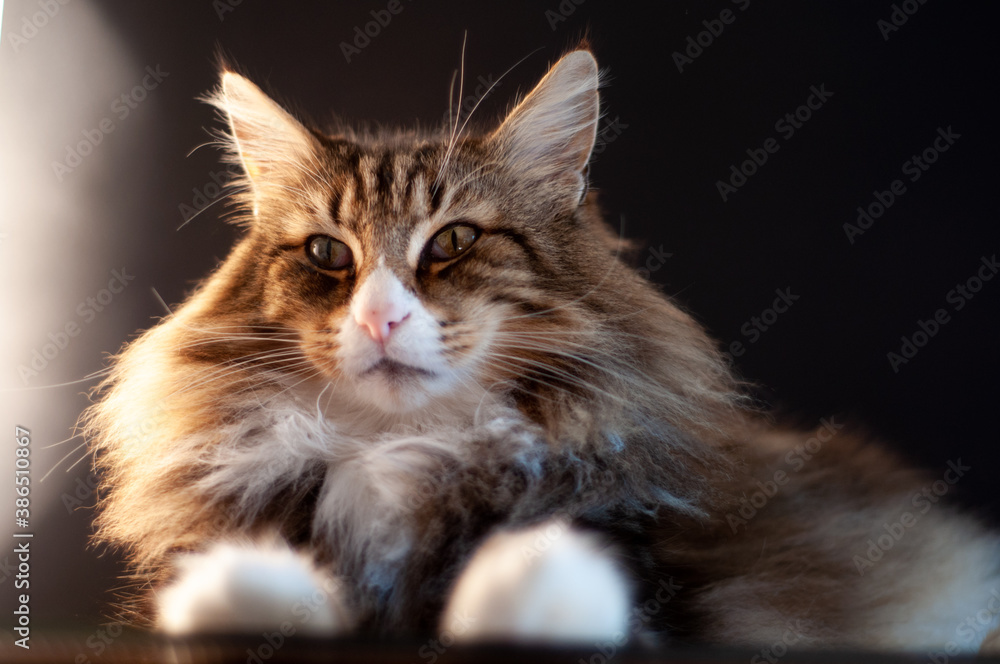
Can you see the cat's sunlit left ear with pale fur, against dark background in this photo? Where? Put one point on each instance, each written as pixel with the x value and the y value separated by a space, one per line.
pixel 264 138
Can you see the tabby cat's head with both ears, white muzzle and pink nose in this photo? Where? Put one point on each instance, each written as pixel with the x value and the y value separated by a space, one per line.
pixel 414 266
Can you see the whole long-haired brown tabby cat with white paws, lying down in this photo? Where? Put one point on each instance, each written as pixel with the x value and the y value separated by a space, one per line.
pixel 425 394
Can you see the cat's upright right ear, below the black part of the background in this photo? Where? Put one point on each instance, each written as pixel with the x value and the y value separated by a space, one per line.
pixel 550 134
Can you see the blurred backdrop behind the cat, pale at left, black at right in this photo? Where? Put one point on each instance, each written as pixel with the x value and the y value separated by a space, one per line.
pixel 104 198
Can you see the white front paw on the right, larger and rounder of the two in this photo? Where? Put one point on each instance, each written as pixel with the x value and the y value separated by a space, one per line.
pixel 549 583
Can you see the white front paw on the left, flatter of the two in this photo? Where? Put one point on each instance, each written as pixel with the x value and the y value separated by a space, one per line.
pixel 244 588
